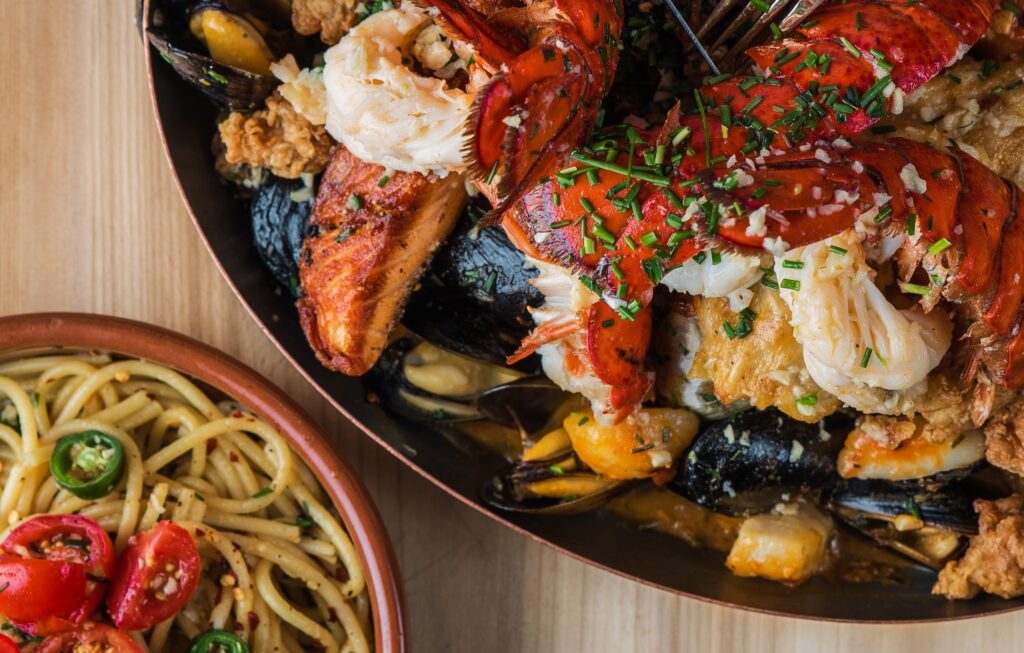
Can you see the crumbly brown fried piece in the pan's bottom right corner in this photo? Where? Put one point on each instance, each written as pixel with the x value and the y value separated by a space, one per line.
pixel 995 560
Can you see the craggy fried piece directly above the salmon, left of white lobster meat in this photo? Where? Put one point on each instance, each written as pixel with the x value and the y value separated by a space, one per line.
pixel 278 139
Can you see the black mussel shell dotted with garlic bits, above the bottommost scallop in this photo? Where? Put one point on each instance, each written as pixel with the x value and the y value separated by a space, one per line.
pixel 753 461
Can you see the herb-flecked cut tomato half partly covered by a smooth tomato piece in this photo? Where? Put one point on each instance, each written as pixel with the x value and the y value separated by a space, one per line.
pixel 72 539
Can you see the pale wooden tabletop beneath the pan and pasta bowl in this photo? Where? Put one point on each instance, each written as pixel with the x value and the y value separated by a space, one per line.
pixel 91 221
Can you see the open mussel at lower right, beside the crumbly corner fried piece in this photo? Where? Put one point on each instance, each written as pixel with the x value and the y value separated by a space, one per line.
pixel 930 526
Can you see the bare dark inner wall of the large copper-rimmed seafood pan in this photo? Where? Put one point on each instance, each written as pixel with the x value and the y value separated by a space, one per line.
pixel 187 121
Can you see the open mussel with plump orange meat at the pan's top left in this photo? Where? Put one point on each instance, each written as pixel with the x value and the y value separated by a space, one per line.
pixel 220 49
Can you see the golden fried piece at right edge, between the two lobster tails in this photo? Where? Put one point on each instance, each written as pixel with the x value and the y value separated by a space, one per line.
pixel 979 105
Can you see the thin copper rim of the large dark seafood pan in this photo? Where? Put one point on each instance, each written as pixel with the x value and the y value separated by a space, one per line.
pixel 143 20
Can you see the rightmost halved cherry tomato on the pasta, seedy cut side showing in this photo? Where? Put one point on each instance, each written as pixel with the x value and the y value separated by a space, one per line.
pixel 155 578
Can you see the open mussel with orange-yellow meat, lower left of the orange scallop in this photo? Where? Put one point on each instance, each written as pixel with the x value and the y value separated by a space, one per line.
pixel 551 481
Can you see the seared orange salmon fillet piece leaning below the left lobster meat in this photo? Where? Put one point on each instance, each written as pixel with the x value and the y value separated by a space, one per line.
pixel 373 239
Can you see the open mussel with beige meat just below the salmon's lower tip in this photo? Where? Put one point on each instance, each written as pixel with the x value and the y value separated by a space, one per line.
pixel 420 381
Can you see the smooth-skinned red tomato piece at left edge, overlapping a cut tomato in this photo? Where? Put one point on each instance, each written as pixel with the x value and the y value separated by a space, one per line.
pixel 34 590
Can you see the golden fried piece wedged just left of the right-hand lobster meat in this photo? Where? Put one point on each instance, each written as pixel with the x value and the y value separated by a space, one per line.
pixel 765 368
